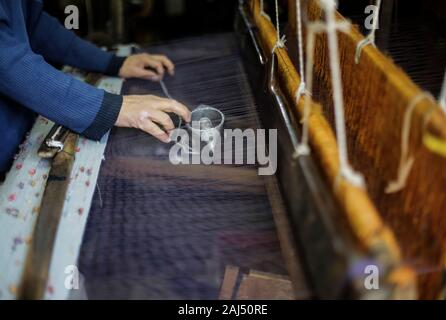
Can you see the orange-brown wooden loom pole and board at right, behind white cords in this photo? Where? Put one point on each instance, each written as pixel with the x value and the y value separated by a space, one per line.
pixel 407 229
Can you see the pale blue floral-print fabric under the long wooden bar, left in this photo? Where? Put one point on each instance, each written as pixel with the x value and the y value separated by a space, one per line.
pixel 20 197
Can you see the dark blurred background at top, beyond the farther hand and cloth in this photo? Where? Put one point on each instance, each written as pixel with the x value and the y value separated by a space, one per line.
pixel 147 21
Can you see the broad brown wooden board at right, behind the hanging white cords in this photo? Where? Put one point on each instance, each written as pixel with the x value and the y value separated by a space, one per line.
pixel 377 93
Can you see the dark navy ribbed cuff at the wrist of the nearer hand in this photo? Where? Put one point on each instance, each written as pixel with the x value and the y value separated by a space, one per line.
pixel 105 118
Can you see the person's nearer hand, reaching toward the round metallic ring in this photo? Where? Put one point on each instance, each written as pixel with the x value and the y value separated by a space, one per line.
pixel 150 114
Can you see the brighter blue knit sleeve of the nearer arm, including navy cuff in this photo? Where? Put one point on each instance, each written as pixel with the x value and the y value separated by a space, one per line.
pixel 26 78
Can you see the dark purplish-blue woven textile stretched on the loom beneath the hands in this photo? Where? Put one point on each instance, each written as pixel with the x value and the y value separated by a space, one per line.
pixel 159 231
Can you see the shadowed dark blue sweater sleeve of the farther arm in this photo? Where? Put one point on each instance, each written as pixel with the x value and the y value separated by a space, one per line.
pixel 57 44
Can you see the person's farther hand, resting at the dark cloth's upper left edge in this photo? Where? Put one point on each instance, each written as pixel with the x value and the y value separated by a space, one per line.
pixel 146 66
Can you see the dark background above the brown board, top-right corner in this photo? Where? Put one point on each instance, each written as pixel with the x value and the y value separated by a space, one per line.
pixel 412 33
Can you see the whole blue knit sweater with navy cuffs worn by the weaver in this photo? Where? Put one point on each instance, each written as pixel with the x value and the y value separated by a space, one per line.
pixel 29 85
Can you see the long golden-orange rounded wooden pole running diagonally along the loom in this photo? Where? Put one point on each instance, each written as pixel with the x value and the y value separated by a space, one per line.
pixel 360 212
